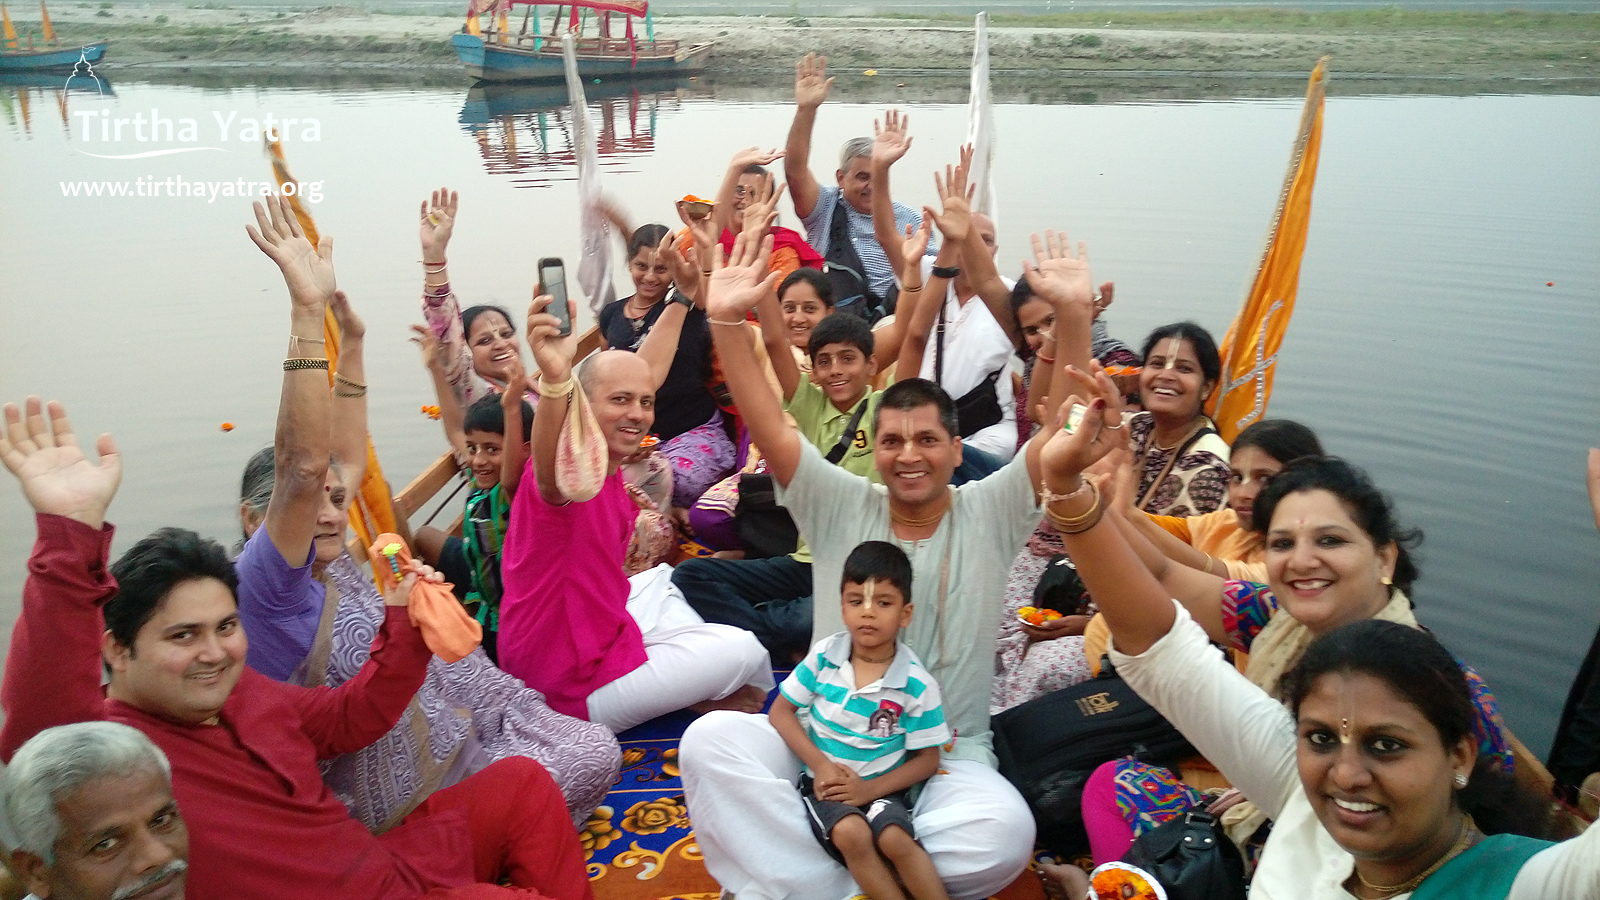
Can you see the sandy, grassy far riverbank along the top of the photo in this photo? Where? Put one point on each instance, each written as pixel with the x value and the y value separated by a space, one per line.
pixel 1498 52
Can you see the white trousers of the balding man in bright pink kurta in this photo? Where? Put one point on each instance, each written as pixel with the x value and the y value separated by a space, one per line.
pixel 689 661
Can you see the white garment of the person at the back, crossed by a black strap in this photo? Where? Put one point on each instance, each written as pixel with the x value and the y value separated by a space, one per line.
pixel 975 347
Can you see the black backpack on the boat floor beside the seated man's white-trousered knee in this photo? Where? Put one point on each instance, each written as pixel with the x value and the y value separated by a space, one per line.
pixel 1050 747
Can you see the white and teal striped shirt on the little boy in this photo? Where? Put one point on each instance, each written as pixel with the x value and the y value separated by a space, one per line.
pixel 873 728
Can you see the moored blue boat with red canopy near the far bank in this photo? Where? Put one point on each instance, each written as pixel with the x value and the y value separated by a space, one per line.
pixel 497 55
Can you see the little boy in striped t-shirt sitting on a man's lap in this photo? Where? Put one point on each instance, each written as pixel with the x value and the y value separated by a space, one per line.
pixel 874 733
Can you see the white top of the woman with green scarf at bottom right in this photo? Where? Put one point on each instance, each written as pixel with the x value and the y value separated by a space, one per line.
pixel 1250 739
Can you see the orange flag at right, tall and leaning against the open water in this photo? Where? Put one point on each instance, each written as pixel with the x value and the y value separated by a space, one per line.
pixel 1250 352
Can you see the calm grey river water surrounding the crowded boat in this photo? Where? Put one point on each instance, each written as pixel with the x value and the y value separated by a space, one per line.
pixel 1428 344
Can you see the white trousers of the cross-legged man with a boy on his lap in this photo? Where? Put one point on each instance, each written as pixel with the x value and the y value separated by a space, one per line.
pixel 742 787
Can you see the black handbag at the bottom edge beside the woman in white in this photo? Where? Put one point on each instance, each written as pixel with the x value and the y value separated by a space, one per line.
pixel 1193 859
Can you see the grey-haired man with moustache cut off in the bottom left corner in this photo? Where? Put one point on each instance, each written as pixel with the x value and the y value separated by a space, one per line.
pixel 90 816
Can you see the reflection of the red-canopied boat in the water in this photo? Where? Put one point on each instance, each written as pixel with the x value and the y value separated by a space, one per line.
pixel 529 129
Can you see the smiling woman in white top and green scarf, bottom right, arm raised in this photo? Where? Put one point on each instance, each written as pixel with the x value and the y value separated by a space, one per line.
pixel 1370 773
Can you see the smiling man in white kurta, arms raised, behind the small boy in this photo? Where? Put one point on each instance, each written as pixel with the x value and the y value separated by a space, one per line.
pixel 738 776
